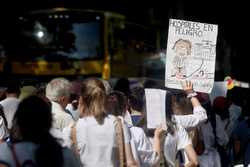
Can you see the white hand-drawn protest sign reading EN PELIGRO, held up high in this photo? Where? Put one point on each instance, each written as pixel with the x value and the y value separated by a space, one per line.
pixel 191 54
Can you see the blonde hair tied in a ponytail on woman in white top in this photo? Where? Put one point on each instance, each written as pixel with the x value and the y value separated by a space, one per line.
pixel 94 97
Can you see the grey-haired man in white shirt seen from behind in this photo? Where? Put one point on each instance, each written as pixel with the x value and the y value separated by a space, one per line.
pixel 58 92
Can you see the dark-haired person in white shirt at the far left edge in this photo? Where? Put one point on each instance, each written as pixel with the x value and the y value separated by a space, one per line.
pixel 11 102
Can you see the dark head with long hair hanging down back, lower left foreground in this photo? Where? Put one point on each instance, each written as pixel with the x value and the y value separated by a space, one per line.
pixel 34 118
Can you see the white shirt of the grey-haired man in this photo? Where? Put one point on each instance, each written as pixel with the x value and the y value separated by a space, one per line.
pixel 61 119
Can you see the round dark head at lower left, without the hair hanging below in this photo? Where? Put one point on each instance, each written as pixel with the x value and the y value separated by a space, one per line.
pixel 33 117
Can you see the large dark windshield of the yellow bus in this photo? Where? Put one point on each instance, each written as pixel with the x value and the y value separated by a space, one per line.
pixel 57 37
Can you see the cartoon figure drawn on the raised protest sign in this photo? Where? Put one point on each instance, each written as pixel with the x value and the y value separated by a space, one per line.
pixel 182 49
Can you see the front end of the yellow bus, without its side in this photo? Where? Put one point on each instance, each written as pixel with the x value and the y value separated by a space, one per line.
pixel 60 42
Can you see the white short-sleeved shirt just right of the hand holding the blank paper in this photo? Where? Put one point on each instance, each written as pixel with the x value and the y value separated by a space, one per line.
pixel 173 143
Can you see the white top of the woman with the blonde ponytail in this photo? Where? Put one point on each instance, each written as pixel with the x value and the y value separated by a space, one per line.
pixel 97 143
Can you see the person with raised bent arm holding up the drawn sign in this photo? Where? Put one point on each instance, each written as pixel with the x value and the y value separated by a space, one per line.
pixel 187 110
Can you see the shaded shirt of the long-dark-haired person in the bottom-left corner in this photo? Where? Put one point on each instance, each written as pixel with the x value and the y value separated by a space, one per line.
pixel 26 151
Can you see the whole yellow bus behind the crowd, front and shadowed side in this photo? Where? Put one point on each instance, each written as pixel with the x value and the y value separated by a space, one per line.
pixel 75 42
